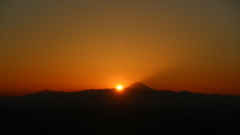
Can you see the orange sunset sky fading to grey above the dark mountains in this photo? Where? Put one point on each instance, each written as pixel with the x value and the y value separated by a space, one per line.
pixel 72 45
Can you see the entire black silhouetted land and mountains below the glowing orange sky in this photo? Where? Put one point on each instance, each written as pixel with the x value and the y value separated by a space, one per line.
pixel 138 109
